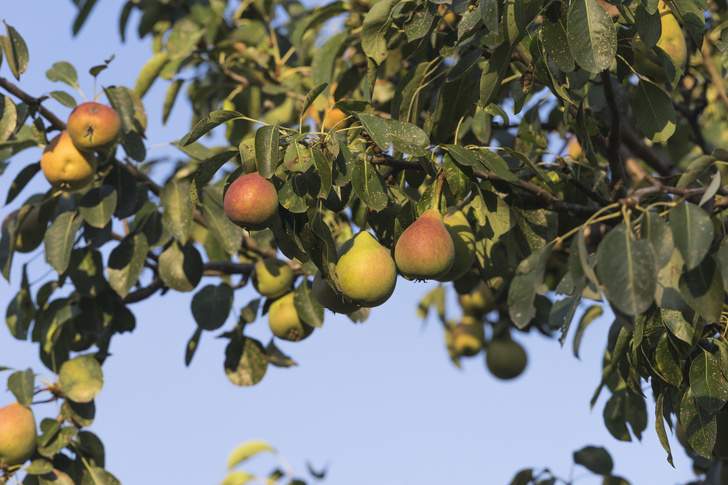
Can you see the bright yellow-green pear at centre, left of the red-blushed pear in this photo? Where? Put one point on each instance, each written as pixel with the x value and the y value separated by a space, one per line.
pixel 366 271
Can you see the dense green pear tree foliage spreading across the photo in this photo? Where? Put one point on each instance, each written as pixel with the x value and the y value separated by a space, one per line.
pixel 430 114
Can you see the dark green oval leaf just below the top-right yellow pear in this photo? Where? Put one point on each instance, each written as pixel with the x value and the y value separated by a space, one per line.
pixel 653 111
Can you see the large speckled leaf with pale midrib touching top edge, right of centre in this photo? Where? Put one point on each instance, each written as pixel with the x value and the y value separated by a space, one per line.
pixel 592 35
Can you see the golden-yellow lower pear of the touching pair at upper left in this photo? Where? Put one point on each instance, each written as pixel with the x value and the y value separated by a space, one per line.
pixel 65 166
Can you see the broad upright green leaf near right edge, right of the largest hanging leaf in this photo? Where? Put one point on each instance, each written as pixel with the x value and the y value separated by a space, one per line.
pixel 692 232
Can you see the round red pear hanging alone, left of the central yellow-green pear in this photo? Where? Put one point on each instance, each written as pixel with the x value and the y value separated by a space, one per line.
pixel 251 202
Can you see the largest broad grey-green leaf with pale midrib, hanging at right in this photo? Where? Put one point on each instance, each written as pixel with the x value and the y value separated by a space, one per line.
pixel 627 270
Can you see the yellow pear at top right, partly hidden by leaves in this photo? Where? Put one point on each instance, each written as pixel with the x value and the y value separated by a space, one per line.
pixel 672 41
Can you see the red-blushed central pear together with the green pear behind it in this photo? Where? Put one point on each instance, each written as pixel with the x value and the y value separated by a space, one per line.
pixel 436 247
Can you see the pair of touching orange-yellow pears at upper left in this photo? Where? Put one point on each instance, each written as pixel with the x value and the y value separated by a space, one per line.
pixel 68 161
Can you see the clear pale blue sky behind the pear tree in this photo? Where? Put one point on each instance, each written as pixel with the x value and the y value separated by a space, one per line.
pixel 377 403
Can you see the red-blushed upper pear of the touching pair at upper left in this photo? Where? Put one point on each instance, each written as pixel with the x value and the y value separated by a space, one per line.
pixel 94 126
